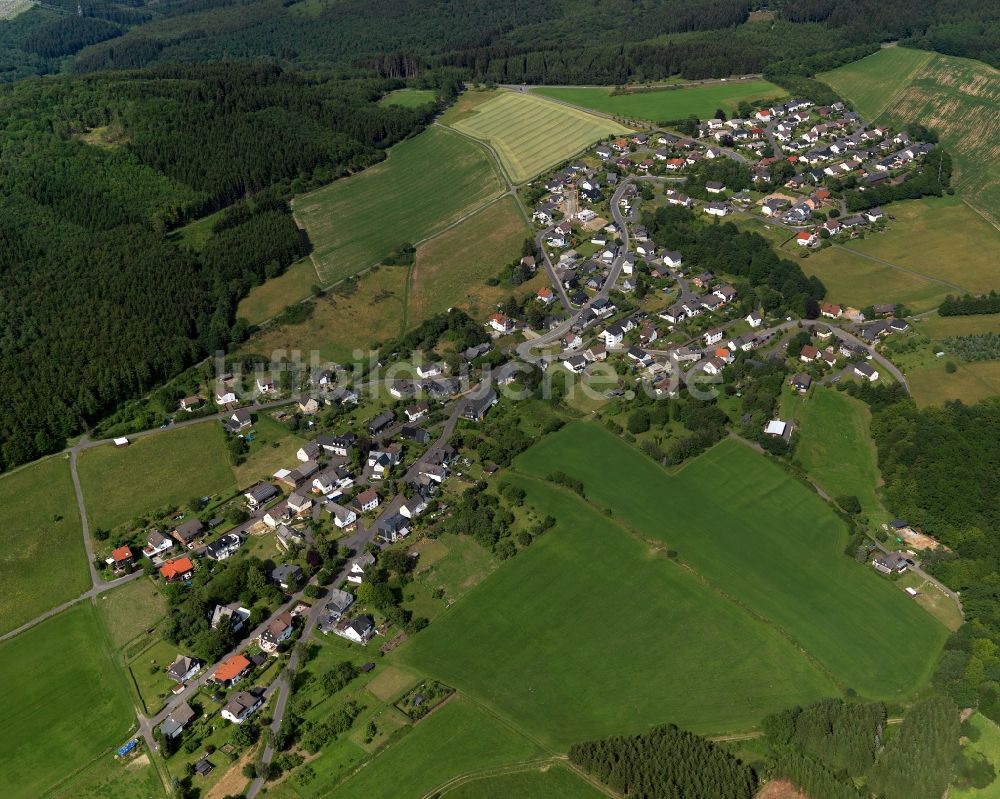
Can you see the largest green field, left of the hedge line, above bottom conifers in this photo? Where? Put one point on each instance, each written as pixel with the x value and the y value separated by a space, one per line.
pixel 589 632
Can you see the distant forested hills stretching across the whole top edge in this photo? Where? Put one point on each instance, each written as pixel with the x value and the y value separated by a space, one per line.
pixel 557 41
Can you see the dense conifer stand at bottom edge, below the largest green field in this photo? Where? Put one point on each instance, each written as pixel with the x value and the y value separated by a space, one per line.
pixel 665 762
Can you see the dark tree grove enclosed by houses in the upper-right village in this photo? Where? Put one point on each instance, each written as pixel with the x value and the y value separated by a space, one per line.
pixel 775 284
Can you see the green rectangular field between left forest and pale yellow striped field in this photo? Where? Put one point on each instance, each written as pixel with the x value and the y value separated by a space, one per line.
pixel 427 183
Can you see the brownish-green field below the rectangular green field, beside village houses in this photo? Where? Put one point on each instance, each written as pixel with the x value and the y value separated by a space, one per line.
pixel 451 269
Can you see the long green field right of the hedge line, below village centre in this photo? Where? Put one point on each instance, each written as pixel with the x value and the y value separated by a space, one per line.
pixel 767 541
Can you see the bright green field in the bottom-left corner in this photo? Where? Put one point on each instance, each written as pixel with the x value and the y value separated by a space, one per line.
pixel 57 725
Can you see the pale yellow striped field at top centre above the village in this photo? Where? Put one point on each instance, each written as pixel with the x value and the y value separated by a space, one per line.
pixel 531 134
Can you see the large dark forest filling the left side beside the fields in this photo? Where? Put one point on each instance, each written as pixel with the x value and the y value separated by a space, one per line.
pixel 97 302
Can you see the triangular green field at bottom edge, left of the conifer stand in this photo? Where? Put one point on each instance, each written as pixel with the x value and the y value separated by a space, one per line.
pixel 457 738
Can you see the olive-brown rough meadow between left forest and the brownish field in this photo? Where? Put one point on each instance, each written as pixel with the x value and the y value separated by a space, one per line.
pixel 344 320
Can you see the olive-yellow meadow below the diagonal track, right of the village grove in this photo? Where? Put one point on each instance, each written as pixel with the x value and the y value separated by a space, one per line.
pixel 851 279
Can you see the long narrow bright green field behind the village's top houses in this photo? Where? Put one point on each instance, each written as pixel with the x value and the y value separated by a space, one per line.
pixel 669 104
